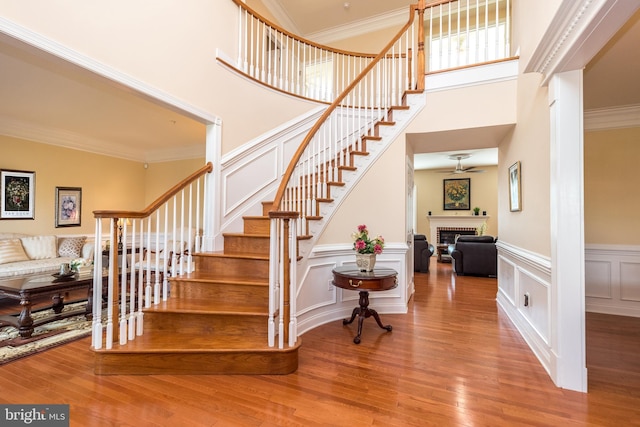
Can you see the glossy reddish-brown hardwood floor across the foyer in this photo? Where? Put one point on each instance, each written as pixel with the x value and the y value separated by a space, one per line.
pixel 453 360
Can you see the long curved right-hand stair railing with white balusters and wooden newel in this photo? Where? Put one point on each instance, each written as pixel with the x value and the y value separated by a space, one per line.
pixel 339 134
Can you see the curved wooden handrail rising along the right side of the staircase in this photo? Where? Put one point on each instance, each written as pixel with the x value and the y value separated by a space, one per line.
pixel 335 104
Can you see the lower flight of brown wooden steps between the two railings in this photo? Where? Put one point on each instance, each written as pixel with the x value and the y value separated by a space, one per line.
pixel 215 321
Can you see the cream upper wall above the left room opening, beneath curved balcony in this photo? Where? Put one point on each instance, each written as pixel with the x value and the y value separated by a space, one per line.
pixel 176 52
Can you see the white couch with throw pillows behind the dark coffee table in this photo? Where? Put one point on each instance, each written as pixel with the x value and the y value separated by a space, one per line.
pixel 22 254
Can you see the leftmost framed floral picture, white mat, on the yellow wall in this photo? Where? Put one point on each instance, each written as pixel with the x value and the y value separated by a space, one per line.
pixel 18 190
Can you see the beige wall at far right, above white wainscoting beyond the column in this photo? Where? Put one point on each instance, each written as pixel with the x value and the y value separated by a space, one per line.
pixel 611 182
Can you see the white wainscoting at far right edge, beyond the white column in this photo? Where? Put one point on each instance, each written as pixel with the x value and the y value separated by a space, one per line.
pixel 612 279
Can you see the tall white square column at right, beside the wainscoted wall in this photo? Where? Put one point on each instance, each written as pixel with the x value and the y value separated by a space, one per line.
pixel 567 231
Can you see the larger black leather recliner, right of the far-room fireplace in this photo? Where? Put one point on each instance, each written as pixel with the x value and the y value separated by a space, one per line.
pixel 474 255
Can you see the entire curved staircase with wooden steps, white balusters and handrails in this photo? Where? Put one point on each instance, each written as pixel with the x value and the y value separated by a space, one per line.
pixel 220 318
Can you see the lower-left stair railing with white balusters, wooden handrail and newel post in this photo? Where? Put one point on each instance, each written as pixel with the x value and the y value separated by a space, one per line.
pixel 150 246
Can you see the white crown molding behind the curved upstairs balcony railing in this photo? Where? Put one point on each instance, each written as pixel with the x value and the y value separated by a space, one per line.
pixel 363 26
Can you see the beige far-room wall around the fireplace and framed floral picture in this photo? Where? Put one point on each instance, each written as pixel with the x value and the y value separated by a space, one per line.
pixel 484 194
